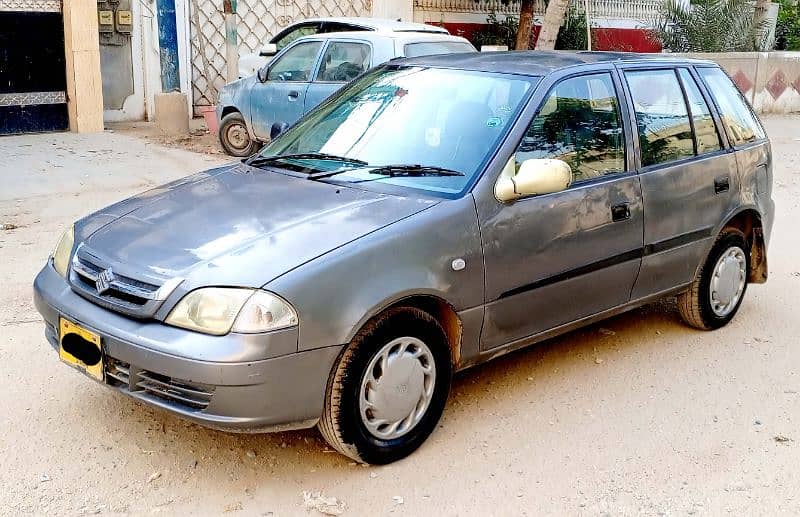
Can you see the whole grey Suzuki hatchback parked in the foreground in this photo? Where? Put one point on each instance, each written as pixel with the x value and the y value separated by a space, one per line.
pixel 434 214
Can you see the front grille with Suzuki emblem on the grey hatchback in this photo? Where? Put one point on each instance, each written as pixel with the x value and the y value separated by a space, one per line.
pixel 131 296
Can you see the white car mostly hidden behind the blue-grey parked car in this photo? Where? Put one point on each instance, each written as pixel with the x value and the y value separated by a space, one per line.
pixel 251 62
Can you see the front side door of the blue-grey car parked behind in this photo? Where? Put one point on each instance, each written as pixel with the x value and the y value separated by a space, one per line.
pixel 281 97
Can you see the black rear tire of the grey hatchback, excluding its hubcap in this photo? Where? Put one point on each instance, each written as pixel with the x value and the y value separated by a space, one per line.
pixel 694 305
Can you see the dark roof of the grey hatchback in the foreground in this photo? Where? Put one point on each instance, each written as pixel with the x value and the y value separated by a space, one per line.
pixel 538 62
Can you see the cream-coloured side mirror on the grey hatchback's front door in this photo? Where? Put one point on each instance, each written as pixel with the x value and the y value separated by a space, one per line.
pixel 534 177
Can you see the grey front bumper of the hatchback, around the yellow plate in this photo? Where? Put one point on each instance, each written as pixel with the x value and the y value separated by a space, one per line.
pixel 243 383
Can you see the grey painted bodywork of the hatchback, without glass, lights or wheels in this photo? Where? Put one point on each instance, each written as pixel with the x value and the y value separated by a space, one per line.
pixel 341 254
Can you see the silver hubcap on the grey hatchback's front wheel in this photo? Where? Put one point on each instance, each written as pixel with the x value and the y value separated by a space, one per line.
pixel 397 388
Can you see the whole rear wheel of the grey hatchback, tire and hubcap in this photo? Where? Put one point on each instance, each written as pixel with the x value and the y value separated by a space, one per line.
pixel 718 291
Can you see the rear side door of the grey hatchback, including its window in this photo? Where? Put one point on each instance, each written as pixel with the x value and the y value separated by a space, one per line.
pixel 688 175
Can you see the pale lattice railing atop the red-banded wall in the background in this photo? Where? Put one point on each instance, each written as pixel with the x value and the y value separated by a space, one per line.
pixel 621 9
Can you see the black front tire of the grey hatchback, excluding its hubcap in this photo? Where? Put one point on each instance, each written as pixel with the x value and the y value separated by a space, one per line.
pixel 341 424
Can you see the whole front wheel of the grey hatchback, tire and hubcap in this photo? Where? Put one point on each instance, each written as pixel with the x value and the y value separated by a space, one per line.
pixel 389 387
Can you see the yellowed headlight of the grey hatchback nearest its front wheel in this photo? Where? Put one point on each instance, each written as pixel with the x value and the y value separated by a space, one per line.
pixel 218 310
